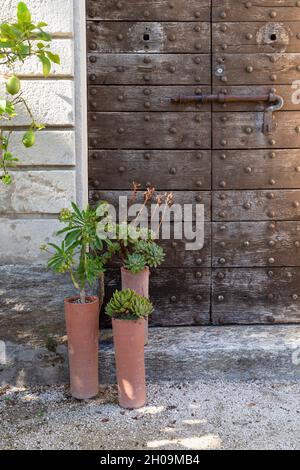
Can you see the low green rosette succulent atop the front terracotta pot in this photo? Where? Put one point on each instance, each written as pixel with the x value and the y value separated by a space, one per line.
pixel 127 305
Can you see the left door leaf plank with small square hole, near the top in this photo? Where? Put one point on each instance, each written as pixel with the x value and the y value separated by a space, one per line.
pixel 145 37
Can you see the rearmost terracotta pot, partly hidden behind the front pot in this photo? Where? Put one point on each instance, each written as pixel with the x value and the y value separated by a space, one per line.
pixel 140 284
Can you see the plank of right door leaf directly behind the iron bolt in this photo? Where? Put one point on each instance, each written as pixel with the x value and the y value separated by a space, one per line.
pixel 289 93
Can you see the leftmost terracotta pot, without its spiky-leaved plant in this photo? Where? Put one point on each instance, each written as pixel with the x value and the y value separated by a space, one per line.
pixel 82 322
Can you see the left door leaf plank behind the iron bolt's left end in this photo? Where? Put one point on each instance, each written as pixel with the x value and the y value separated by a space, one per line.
pixel 141 98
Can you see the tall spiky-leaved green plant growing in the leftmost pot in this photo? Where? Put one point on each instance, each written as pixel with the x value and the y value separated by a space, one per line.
pixel 82 253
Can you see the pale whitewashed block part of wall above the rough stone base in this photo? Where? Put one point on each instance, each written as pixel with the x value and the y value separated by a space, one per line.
pixel 52 173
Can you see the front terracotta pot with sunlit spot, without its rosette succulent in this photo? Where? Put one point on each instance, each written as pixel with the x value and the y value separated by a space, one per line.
pixel 130 362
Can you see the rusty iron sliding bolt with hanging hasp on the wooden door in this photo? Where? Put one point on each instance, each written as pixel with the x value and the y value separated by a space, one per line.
pixel 276 103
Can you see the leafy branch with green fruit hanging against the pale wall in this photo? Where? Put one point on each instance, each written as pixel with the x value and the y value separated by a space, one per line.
pixel 18 42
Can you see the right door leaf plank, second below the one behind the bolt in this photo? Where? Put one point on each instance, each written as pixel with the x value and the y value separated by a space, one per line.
pixel 256 169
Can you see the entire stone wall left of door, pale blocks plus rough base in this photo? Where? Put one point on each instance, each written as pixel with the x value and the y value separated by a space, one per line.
pixel 49 176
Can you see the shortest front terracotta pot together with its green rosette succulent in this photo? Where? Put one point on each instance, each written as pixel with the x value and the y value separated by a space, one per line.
pixel 128 311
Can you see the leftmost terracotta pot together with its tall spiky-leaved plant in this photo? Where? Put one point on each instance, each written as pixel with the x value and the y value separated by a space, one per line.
pixel 83 256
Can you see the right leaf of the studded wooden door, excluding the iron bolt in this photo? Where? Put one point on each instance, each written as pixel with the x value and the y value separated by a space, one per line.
pixel 256 177
